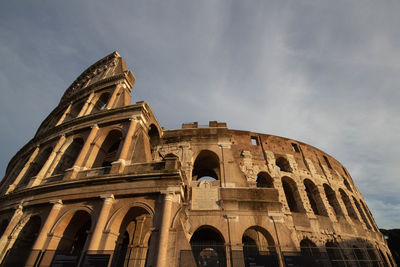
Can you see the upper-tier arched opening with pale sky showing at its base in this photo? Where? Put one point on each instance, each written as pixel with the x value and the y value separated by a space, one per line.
pixel 206 166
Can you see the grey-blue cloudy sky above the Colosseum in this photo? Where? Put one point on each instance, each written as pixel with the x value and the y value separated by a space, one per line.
pixel 323 72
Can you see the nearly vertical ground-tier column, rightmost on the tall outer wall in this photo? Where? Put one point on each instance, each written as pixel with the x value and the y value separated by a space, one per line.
pixel 164 231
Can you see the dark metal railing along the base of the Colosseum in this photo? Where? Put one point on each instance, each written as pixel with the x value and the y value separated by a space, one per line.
pixel 211 255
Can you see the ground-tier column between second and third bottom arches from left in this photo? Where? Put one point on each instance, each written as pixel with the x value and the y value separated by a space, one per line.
pixel 101 222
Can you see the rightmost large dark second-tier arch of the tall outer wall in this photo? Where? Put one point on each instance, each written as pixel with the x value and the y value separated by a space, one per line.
pixel 108 151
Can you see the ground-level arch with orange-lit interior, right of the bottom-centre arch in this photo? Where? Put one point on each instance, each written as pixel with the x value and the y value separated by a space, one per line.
pixel 258 247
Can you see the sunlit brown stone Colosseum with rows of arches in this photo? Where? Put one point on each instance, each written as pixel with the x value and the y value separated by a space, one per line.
pixel 103 184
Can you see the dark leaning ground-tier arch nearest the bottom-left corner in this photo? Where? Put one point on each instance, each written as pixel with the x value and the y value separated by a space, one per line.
pixel 19 253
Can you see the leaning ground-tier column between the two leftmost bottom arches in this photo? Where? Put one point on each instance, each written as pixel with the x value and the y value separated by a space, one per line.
pixel 40 243
